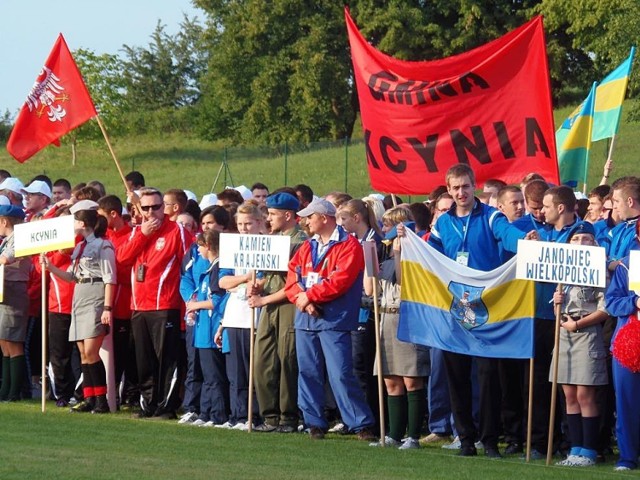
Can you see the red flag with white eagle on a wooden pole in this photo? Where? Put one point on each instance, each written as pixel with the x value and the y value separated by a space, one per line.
pixel 57 103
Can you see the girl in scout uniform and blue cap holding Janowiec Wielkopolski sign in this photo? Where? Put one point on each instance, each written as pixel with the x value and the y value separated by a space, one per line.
pixel 581 359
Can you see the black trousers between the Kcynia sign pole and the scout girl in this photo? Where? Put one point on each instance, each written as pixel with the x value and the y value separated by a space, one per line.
pixel 62 378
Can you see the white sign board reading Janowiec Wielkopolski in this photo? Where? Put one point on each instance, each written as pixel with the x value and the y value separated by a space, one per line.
pixel 564 263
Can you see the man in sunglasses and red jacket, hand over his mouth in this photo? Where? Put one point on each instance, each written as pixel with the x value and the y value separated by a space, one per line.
pixel 155 252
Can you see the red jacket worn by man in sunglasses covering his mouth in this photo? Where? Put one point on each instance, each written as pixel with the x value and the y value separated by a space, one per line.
pixel 161 255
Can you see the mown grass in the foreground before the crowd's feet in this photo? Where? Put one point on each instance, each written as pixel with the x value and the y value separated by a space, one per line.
pixel 60 445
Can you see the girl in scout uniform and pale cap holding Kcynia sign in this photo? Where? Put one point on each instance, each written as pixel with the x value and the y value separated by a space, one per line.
pixel 93 269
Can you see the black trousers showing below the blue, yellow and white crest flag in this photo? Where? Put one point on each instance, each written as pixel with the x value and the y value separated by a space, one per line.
pixel 458 368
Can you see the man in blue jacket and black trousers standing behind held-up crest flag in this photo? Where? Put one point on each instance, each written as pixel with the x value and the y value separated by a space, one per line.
pixel 470 233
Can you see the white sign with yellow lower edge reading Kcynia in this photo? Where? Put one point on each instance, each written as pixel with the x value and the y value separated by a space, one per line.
pixel 44 236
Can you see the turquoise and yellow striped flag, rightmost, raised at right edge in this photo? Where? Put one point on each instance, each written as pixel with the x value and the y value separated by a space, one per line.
pixel 609 97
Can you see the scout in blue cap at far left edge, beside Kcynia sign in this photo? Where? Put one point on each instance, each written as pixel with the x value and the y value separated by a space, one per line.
pixel 13 307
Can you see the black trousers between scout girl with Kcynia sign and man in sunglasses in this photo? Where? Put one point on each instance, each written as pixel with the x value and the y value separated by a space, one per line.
pixel 125 360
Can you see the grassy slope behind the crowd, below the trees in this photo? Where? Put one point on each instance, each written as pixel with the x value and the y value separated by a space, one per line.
pixel 182 162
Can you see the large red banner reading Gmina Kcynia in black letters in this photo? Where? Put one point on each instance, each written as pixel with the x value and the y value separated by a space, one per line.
pixel 489 108
